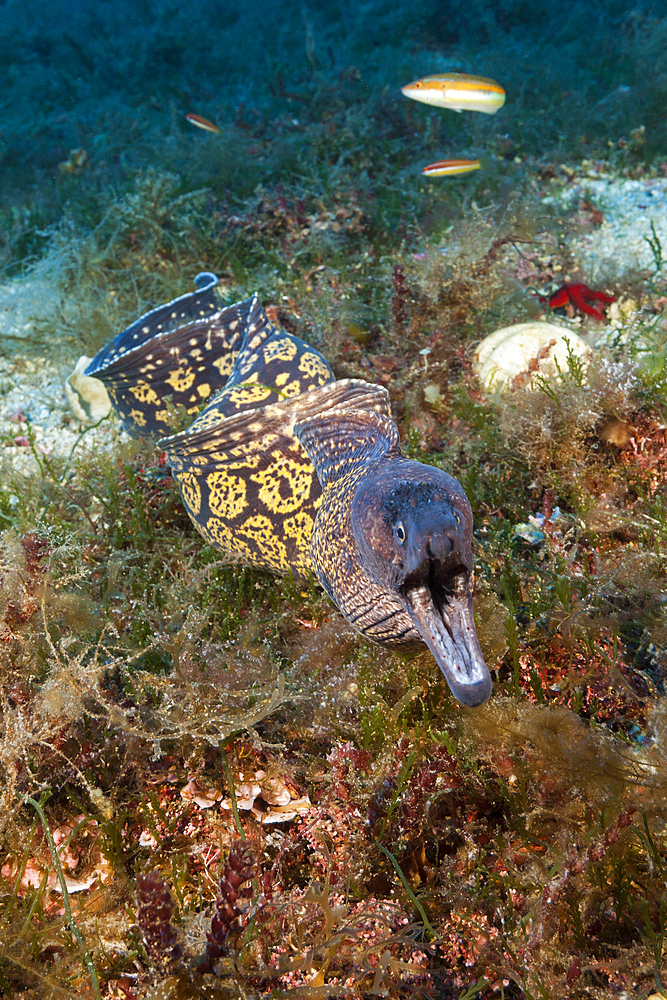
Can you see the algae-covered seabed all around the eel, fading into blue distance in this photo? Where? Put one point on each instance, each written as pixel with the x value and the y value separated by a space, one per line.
pixel 211 786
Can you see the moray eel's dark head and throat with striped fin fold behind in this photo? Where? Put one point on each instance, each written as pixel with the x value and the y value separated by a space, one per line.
pixel 392 542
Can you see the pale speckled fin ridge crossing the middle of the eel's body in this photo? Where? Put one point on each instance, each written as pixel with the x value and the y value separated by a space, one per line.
pixel 259 429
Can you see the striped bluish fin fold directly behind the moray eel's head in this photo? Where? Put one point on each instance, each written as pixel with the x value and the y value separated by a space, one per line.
pixel 339 440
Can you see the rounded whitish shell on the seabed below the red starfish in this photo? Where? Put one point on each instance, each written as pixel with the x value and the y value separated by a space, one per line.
pixel 514 354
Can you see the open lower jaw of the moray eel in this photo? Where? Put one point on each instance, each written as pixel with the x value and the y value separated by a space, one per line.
pixel 447 626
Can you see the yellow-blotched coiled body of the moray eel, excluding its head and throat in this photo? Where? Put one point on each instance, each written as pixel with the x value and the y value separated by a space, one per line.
pixel 245 479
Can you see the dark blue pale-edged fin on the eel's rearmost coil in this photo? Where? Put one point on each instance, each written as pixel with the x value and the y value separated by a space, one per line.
pixel 191 307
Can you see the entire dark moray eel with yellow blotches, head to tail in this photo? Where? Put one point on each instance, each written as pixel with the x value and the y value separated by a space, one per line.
pixel 292 471
